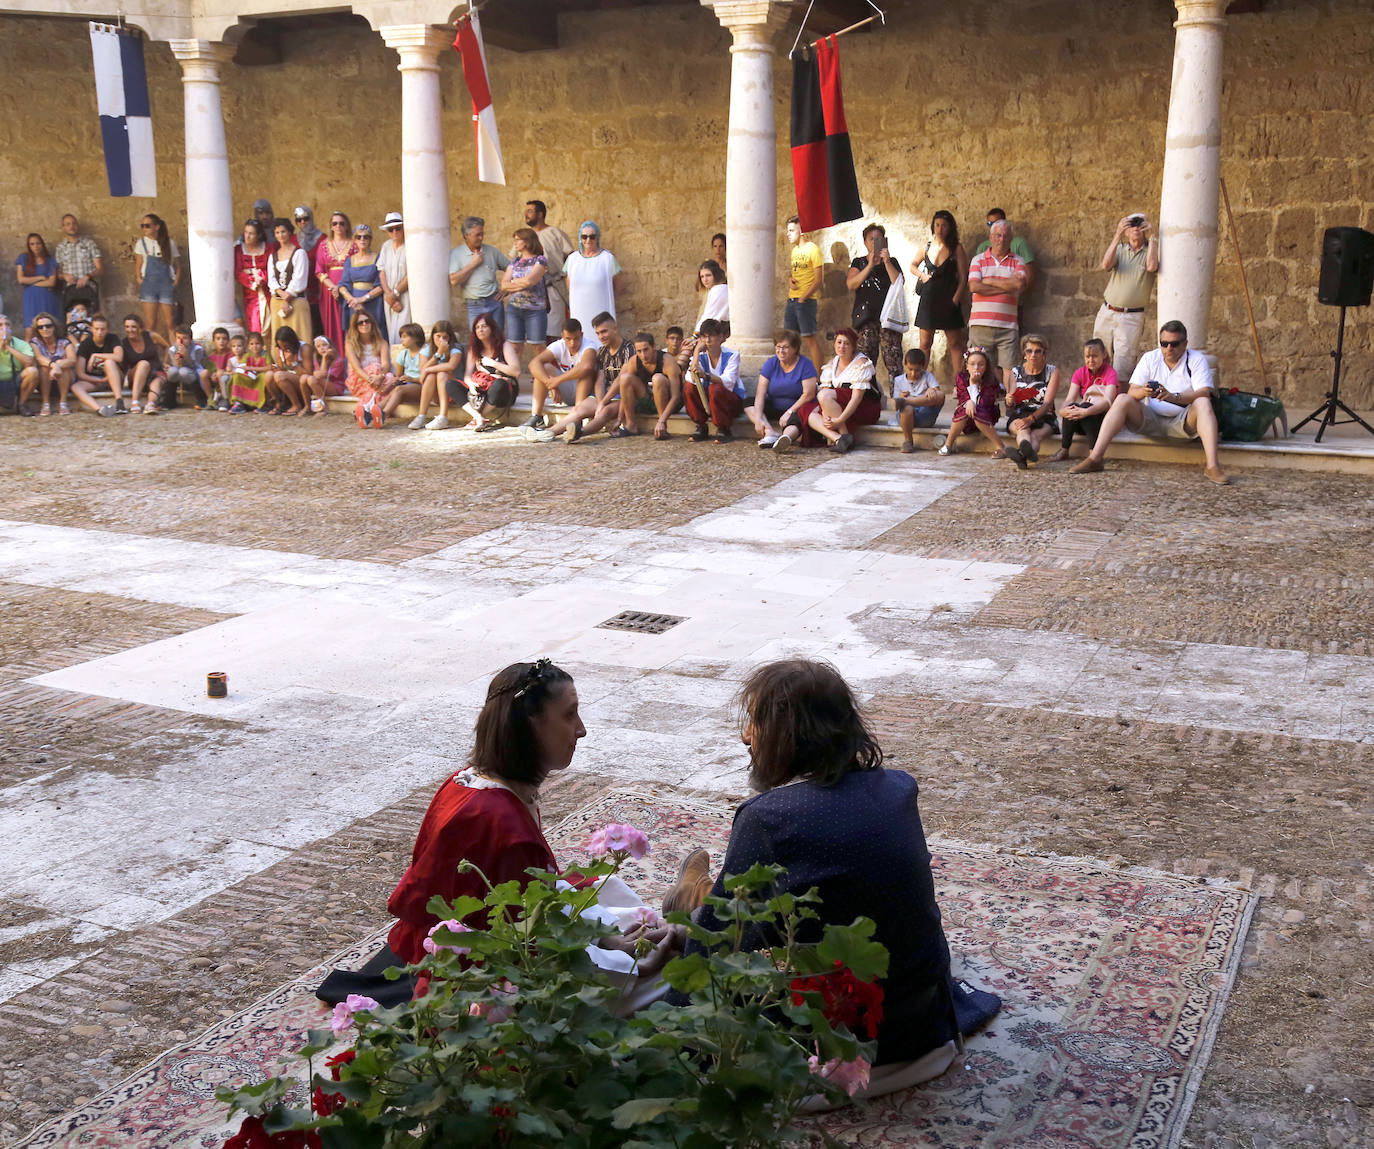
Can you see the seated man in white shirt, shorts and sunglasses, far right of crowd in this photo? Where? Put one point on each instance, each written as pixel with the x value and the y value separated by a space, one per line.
pixel 1170 398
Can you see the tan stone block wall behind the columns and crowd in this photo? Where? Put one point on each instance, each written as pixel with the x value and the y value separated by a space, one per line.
pixel 626 124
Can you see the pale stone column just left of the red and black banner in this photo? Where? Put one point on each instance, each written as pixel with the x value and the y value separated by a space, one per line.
pixel 752 172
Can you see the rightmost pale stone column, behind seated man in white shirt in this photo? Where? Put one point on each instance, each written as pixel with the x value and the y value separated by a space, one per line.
pixel 1189 203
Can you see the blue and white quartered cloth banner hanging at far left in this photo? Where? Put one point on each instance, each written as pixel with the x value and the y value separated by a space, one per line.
pixel 122 91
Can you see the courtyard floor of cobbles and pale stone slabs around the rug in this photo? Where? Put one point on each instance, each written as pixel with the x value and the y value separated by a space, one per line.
pixel 1131 666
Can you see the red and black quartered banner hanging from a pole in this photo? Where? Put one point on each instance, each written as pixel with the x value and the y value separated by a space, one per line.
pixel 822 163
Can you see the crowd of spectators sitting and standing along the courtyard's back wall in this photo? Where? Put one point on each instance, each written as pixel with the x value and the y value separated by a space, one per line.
pixel 326 313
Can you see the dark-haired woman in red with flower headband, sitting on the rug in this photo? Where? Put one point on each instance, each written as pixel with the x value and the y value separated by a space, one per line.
pixel 487 814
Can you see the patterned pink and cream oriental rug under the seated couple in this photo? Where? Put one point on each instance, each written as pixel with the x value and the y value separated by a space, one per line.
pixel 1114 983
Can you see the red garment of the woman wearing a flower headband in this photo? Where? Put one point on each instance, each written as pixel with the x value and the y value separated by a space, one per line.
pixel 493 829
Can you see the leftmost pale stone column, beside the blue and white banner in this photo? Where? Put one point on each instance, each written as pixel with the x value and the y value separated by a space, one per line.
pixel 210 205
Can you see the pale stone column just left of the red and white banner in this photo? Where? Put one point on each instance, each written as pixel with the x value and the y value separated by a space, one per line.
pixel 424 168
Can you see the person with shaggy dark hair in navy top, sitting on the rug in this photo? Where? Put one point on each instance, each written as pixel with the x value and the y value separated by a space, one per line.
pixel 840 823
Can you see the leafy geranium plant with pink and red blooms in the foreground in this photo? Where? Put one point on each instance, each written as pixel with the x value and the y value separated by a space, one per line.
pixel 520 1038
